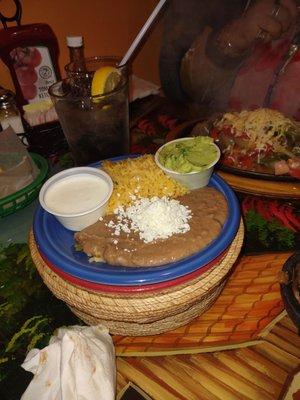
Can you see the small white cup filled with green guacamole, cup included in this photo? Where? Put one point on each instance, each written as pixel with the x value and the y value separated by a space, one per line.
pixel 189 160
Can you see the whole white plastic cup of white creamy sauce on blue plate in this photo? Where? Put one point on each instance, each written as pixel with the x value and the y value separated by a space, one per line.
pixel 77 197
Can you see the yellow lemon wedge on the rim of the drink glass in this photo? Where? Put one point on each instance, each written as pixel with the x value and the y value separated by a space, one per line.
pixel 105 80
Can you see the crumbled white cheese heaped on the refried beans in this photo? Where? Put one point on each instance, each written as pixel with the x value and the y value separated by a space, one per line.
pixel 152 218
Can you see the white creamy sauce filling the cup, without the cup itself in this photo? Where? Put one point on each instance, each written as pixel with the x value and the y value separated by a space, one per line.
pixel 76 194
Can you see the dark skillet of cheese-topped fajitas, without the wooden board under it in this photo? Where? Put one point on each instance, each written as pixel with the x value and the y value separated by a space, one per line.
pixel 260 144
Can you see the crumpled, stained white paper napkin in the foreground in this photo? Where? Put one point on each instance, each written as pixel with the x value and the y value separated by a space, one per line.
pixel 78 363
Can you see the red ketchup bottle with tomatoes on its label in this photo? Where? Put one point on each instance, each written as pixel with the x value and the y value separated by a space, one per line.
pixel 31 54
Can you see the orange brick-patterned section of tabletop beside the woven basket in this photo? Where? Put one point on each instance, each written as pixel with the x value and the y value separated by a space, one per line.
pixel 249 305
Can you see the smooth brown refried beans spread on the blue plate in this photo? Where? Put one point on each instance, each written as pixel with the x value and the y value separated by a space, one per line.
pixel 209 213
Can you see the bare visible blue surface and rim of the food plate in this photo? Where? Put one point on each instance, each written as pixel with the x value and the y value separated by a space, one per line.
pixel 57 244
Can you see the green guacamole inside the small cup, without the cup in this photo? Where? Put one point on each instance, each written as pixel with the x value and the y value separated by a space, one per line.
pixel 190 155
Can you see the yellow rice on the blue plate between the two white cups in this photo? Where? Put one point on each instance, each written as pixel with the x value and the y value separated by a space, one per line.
pixel 139 177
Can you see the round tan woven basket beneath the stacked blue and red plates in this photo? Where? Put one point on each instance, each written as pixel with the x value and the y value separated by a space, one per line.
pixel 146 313
